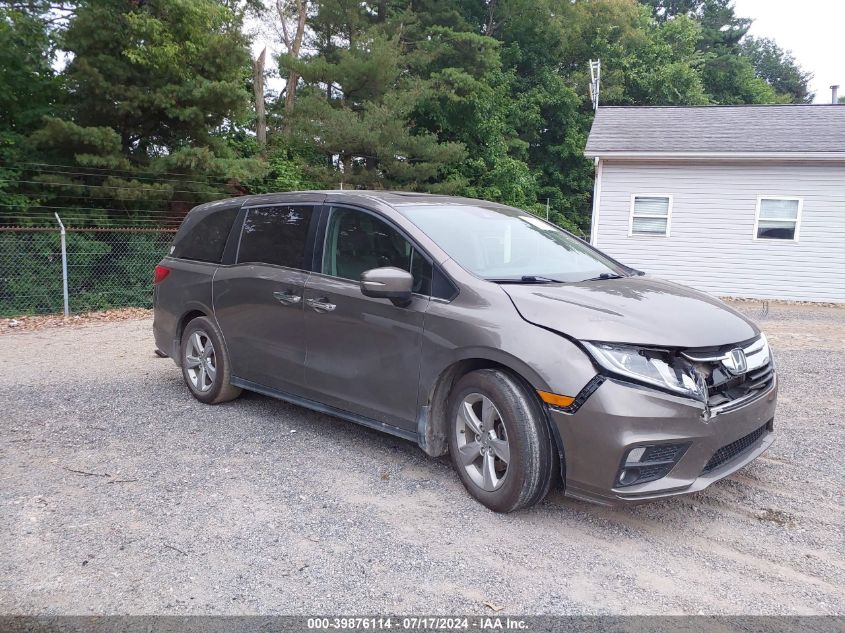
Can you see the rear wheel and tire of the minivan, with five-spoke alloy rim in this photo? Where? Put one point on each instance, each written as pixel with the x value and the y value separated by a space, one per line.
pixel 210 387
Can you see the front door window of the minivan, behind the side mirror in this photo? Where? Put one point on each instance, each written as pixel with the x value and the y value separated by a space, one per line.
pixel 357 241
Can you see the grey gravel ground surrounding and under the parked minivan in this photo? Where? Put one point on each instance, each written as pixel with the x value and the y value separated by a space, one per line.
pixel 122 494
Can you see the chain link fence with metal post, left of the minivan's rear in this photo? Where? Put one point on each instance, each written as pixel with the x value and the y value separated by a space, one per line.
pixel 106 268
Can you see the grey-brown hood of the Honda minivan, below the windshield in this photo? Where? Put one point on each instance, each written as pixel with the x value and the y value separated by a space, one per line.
pixel 639 310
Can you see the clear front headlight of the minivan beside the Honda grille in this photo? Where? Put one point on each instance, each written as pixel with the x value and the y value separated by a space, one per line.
pixel 654 367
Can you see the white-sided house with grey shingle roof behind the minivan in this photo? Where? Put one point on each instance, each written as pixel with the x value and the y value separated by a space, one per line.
pixel 744 201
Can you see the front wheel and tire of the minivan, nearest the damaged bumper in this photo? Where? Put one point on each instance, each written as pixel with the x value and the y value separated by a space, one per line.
pixel 516 418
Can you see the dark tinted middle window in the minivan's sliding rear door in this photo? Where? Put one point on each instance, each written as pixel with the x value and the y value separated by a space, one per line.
pixel 275 235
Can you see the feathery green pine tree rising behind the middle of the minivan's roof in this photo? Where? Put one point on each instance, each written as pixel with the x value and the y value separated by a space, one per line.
pixel 354 109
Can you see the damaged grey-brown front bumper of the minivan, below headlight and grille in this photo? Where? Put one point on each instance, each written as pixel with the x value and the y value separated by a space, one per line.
pixel 620 416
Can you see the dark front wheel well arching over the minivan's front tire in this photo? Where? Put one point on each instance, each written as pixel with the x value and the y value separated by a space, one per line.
pixel 433 423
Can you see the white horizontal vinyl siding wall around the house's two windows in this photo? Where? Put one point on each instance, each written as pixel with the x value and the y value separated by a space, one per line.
pixel 712 243
